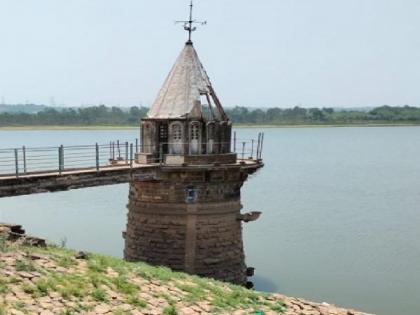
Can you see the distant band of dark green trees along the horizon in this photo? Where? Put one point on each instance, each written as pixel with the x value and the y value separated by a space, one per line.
pixel 116 116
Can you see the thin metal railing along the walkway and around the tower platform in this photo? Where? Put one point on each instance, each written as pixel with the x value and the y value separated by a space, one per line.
pixel 28 160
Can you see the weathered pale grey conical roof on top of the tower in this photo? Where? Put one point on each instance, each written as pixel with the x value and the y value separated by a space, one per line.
pixel 180 95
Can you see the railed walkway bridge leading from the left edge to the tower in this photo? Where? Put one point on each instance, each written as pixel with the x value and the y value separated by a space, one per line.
pixel 30 170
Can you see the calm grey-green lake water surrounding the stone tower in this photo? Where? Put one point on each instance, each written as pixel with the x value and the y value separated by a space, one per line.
pixel 340 223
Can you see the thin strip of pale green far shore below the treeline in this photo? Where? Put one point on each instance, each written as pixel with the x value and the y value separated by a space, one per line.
pixel 70 127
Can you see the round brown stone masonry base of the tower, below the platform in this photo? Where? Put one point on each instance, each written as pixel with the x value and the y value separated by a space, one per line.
pixel 188 220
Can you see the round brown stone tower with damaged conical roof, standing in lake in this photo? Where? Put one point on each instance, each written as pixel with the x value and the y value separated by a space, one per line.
pixel 184 210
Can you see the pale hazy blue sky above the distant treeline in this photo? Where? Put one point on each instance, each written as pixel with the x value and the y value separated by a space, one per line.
pixel 264 53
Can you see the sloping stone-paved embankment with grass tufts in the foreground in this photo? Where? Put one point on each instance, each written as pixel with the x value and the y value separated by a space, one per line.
pixel 46 280
